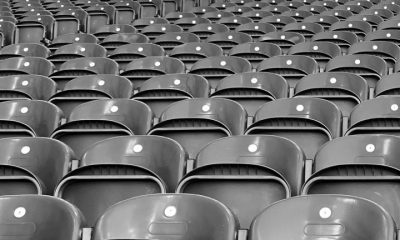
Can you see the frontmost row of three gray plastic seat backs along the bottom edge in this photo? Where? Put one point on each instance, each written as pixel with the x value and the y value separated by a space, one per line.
pixel 185 216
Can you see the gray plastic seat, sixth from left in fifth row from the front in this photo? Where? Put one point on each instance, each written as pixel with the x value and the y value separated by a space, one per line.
pixel 370 67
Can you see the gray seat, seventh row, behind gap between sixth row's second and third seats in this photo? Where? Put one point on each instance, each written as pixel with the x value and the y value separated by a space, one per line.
pixel 114 41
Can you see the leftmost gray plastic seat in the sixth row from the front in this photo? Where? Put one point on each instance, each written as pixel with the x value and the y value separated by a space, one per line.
pixel 24 50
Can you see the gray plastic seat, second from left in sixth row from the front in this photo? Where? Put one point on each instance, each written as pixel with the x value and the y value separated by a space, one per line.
pixel 76 50
